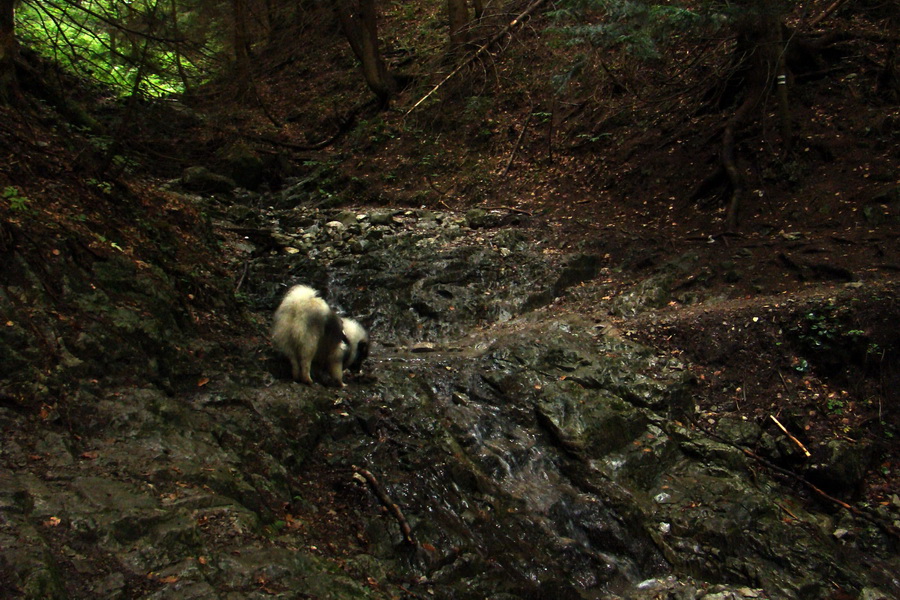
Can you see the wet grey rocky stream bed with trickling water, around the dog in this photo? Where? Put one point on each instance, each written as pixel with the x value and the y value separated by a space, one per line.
pixel 495 446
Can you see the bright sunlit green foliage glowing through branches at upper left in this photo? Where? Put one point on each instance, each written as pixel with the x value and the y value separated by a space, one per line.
pixel 144 46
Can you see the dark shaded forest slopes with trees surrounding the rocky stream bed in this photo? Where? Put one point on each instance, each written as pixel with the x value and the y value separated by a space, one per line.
pixel 746 153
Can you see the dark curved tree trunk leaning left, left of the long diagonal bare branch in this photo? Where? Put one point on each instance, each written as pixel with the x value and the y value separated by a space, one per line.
pixel 360 24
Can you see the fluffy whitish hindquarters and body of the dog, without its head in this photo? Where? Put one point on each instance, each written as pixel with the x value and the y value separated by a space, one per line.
pixel 309 333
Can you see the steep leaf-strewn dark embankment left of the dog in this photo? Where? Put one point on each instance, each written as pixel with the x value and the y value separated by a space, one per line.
pixel 104 278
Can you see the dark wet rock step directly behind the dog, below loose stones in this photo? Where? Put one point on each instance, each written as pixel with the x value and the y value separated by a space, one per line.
pixel 434 286
